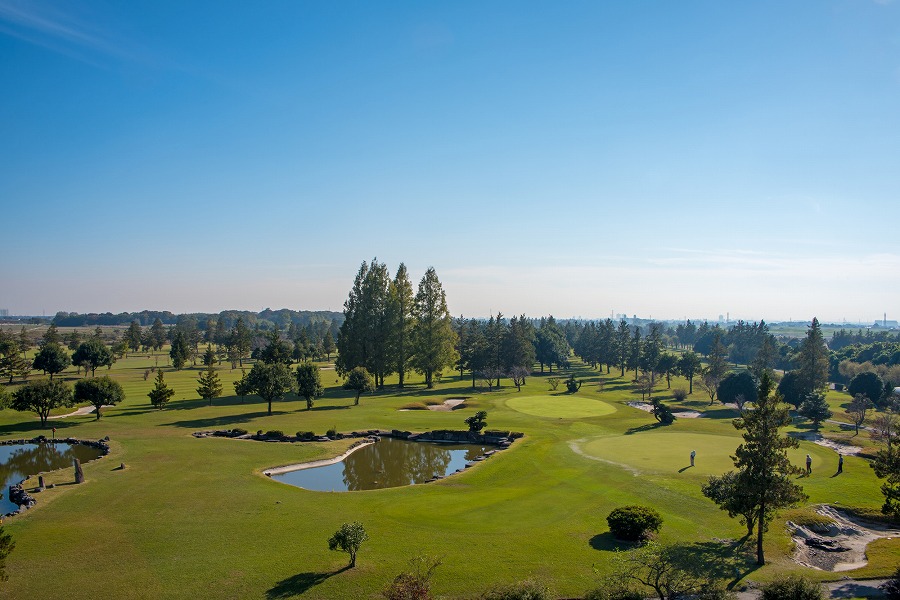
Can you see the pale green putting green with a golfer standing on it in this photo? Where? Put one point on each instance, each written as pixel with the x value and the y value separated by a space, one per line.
pixel 666 452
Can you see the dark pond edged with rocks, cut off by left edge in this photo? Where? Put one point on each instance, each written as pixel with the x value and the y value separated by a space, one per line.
pixel 21 460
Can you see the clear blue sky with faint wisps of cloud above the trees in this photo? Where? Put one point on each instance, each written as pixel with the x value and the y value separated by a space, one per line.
pixel 665 159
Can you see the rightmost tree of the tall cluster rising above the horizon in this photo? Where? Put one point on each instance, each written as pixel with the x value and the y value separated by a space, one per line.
pixel 434 338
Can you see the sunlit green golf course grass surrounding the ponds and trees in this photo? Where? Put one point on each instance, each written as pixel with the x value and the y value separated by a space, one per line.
pixel 195 518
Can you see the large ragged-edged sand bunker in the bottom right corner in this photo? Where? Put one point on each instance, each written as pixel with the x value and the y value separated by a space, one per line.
pixel 838 546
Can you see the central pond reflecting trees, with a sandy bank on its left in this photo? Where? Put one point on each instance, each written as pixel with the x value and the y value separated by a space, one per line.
pixel 385 464
